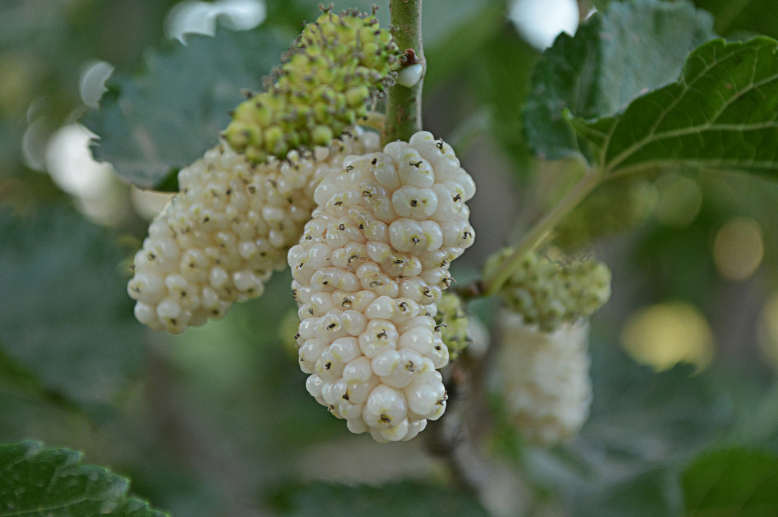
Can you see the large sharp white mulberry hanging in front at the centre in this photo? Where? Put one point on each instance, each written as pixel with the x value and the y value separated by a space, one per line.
pixel 369 270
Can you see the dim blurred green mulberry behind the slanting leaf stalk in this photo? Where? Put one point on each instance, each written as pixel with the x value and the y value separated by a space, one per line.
pixel 614 207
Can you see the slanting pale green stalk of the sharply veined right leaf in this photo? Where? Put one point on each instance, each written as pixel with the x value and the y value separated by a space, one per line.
pixel 540 231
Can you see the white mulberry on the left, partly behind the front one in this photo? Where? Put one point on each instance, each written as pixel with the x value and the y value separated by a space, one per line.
pixel 222 236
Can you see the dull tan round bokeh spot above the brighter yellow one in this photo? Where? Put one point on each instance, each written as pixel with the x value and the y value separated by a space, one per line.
pixel 738 249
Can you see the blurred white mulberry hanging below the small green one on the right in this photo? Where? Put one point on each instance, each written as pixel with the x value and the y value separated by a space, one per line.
pixel 546 383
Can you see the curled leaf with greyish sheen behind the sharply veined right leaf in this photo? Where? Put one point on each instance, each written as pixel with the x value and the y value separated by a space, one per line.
pixel 633 48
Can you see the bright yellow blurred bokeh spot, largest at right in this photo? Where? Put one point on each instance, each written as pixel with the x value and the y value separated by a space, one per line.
pixel 665 334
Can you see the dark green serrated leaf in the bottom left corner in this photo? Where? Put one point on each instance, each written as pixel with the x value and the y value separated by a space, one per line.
pixel 54 483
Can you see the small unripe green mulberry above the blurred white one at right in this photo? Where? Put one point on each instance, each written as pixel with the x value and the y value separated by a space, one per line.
pixel 549 293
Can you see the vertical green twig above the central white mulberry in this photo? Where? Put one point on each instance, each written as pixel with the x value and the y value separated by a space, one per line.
pixel 403 111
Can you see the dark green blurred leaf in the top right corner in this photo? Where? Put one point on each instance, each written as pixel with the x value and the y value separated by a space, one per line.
pixel 760 16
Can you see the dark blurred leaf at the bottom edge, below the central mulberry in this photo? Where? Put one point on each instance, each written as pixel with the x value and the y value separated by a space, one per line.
pixel 405 498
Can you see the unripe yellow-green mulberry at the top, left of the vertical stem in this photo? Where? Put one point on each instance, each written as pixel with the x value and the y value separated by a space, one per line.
pixel 321 89
